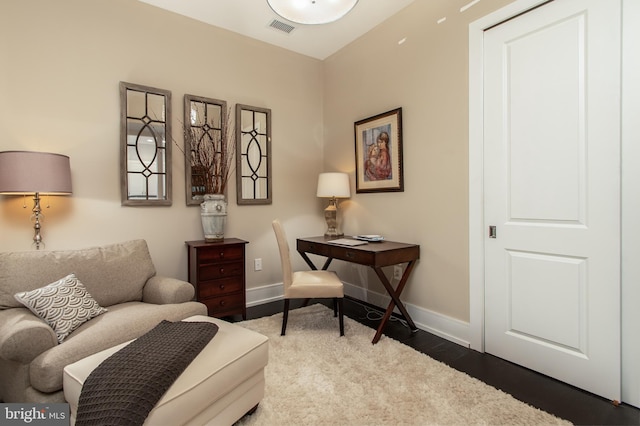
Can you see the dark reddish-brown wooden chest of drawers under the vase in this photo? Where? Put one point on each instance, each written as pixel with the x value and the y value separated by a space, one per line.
pixel 216 270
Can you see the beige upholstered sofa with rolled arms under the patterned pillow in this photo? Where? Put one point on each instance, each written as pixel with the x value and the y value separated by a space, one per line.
pixel 119 277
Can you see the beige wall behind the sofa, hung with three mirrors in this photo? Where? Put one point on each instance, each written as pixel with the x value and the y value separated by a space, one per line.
pixel 60 67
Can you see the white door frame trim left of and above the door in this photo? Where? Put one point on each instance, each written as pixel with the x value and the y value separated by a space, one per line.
pixel 476 163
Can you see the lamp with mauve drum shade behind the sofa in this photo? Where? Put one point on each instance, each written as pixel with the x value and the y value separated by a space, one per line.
pixel 34 173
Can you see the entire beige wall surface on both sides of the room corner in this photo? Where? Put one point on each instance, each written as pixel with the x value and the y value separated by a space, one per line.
pixel 61 64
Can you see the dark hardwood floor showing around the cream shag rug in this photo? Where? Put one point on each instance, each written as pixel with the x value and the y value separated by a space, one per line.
pixel 552 396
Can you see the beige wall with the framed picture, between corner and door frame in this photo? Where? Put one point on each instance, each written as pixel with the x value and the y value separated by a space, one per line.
pixel 427 76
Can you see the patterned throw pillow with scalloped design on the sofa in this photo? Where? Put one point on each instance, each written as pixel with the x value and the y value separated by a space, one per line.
pixel 65 305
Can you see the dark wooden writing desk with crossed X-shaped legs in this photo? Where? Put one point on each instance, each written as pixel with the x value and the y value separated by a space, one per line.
pixel 374 254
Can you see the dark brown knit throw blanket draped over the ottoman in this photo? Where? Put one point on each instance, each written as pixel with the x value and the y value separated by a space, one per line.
pixel 125 387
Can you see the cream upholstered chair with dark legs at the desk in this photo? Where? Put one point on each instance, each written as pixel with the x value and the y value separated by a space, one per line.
pixel 307 284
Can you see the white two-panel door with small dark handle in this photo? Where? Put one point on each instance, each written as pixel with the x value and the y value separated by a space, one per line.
pixel 552 189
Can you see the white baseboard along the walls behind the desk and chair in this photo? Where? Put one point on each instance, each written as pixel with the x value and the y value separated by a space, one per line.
pixel 443 326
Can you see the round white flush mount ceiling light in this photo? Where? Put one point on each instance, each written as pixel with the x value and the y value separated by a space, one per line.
pixel 312 11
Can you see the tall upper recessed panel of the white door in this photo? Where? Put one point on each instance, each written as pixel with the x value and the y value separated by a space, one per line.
pixel 542 168
